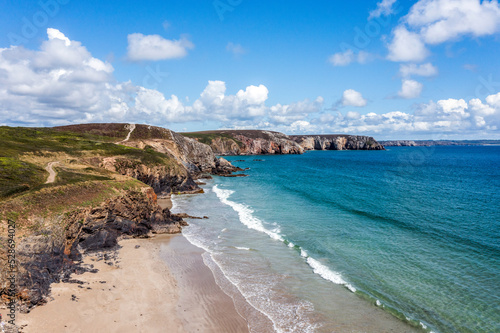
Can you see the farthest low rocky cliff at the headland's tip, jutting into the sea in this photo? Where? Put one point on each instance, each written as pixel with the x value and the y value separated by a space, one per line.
pixel 337 142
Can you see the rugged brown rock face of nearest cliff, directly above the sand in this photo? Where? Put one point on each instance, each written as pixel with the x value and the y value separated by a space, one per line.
pixel 54 254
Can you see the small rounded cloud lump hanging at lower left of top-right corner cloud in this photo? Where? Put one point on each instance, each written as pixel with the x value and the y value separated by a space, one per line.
pixel 406 46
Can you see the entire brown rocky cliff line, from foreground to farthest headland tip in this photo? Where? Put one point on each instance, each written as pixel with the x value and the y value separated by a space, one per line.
pixel 166 161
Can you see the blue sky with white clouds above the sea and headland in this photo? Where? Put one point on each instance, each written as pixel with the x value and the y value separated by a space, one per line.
pixel 392 69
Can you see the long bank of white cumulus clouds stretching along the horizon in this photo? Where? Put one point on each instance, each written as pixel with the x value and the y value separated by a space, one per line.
pixel 62 83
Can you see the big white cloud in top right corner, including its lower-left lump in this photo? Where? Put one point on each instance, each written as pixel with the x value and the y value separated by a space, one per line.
pixel 432 22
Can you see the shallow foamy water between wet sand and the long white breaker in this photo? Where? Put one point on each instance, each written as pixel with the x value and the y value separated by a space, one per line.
pixel 349 312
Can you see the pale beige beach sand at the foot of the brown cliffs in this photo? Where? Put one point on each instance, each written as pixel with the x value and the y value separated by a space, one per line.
pixel 139 293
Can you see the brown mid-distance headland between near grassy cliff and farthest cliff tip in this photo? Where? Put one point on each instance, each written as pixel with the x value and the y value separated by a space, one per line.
pixel 247 142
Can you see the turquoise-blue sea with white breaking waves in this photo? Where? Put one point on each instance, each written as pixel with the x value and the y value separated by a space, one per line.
pixel 406 239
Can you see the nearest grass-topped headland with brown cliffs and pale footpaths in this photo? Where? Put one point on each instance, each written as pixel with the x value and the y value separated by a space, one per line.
pixel 107 177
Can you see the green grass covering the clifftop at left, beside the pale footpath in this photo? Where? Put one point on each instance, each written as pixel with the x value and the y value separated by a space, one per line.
pixel 17 176
